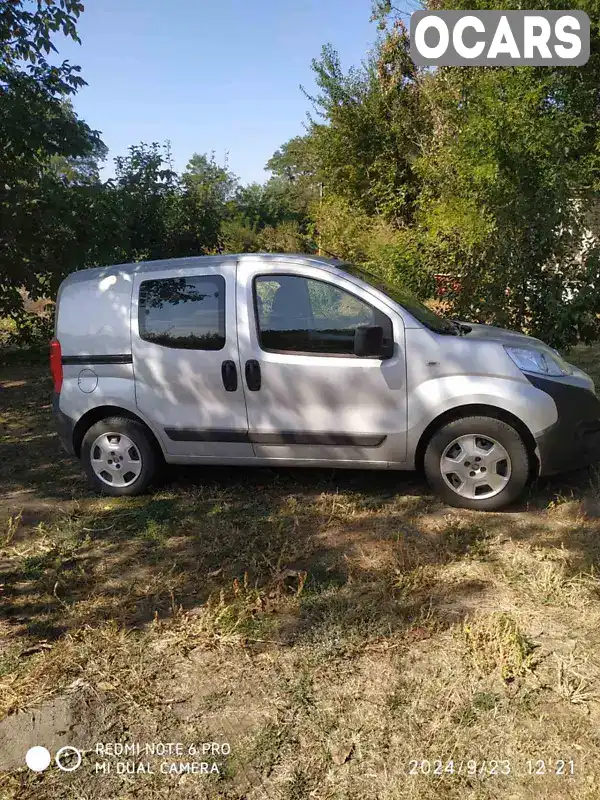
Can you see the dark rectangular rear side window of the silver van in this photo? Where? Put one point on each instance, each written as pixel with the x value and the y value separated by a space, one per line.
pixel 186 313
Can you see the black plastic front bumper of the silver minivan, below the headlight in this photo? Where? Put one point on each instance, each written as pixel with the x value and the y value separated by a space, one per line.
pixel 573 441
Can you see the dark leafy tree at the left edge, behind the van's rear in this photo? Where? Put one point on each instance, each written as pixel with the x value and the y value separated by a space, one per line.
pixel 37 129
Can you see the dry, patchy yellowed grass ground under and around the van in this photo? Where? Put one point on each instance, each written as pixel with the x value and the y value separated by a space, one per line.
pixel 345 634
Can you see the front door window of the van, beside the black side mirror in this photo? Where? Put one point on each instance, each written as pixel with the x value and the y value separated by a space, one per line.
pixel 303 315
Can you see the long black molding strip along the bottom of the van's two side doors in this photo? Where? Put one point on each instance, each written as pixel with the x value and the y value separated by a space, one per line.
pixel 281 437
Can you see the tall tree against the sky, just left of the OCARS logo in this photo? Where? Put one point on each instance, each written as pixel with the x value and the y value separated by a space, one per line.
pixel 369 135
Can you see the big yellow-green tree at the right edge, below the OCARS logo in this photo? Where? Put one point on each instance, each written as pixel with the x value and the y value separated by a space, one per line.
pixel 506 184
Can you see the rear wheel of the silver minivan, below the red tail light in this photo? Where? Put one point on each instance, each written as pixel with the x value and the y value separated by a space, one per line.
pixel 132 468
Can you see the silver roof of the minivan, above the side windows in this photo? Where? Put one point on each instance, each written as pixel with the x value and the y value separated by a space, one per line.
pixel 141 267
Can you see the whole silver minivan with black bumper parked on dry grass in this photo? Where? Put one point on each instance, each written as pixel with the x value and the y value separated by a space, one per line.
pixel 304 361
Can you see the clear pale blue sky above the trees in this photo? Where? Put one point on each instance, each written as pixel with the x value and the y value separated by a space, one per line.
pixel 220 75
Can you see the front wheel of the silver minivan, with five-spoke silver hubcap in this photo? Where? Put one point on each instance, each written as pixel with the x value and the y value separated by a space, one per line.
pixel 466 444
